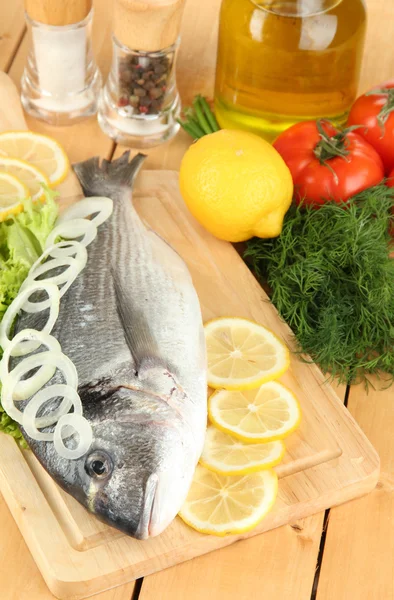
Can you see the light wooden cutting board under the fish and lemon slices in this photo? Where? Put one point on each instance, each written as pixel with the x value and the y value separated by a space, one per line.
pixel 328 460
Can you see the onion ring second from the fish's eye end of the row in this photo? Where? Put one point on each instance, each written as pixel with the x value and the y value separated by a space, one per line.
pixel 31 422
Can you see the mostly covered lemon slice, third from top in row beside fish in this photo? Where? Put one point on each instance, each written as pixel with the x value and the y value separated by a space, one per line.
pixel 226 455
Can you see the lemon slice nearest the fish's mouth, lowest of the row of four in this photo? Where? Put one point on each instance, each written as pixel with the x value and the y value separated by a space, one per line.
pixel 222 505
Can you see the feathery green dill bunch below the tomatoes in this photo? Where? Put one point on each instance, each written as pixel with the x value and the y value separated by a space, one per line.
pixel 332 280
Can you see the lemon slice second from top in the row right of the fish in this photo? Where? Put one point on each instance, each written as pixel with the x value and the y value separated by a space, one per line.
pixel 269 413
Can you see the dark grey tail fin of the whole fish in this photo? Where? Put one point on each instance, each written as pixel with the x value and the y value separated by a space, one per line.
pixel 101 180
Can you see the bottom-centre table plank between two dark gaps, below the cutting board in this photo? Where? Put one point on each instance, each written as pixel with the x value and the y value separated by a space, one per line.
pixel 279 565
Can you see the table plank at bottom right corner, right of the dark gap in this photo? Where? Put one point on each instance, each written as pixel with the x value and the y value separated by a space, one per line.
pixel 357 560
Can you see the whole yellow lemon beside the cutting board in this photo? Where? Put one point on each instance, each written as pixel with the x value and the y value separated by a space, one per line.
pixel 236 185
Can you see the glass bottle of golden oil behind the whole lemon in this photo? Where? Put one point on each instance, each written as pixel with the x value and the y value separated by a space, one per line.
pixel 283 61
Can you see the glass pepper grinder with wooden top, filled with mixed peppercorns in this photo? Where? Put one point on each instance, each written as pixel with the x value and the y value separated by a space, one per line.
pixel 139 105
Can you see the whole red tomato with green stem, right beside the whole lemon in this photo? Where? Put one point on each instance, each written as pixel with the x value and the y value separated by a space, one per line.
pixel 327 164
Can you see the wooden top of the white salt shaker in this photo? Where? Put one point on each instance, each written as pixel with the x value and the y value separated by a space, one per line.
pixel 58 12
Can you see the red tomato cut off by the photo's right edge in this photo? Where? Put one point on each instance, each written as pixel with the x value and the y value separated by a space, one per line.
pixel 376 113
